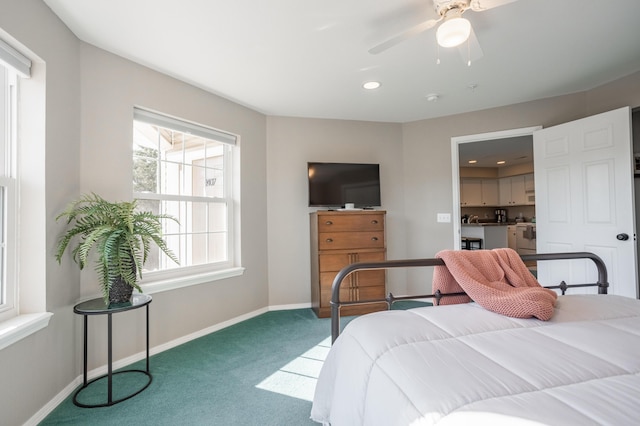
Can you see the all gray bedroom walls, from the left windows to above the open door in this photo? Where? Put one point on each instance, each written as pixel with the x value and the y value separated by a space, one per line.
pixel 89 98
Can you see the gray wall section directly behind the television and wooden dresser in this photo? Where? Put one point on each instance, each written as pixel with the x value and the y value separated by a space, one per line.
pixel 292 142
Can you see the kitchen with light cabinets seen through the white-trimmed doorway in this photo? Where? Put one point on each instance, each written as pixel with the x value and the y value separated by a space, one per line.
pixel 494 190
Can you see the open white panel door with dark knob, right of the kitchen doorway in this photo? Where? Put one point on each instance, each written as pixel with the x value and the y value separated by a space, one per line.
pixel 585 199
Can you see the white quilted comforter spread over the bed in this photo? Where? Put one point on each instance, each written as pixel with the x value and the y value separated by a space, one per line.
pixel 462 364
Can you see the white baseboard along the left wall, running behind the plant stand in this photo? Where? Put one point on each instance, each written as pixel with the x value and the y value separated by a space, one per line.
pixel 63 394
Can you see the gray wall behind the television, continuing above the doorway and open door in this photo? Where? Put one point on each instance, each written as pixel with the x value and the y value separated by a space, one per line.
pixel 417 176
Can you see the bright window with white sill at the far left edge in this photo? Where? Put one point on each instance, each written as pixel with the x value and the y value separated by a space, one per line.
pixel 23 225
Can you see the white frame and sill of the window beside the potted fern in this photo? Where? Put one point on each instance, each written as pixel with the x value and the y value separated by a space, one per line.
pixel 169 279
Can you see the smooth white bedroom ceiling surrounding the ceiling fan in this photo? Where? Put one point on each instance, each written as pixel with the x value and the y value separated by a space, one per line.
pixel 309 58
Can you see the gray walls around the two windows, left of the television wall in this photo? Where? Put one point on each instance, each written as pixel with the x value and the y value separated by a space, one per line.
pixel 89 99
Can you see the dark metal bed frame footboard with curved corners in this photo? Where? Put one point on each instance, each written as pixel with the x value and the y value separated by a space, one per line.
pixel 336 303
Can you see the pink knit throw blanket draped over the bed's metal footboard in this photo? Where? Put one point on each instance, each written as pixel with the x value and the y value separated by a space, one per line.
pixel 497 280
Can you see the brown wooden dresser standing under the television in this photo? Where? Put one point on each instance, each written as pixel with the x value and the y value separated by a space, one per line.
pixel 339 238
